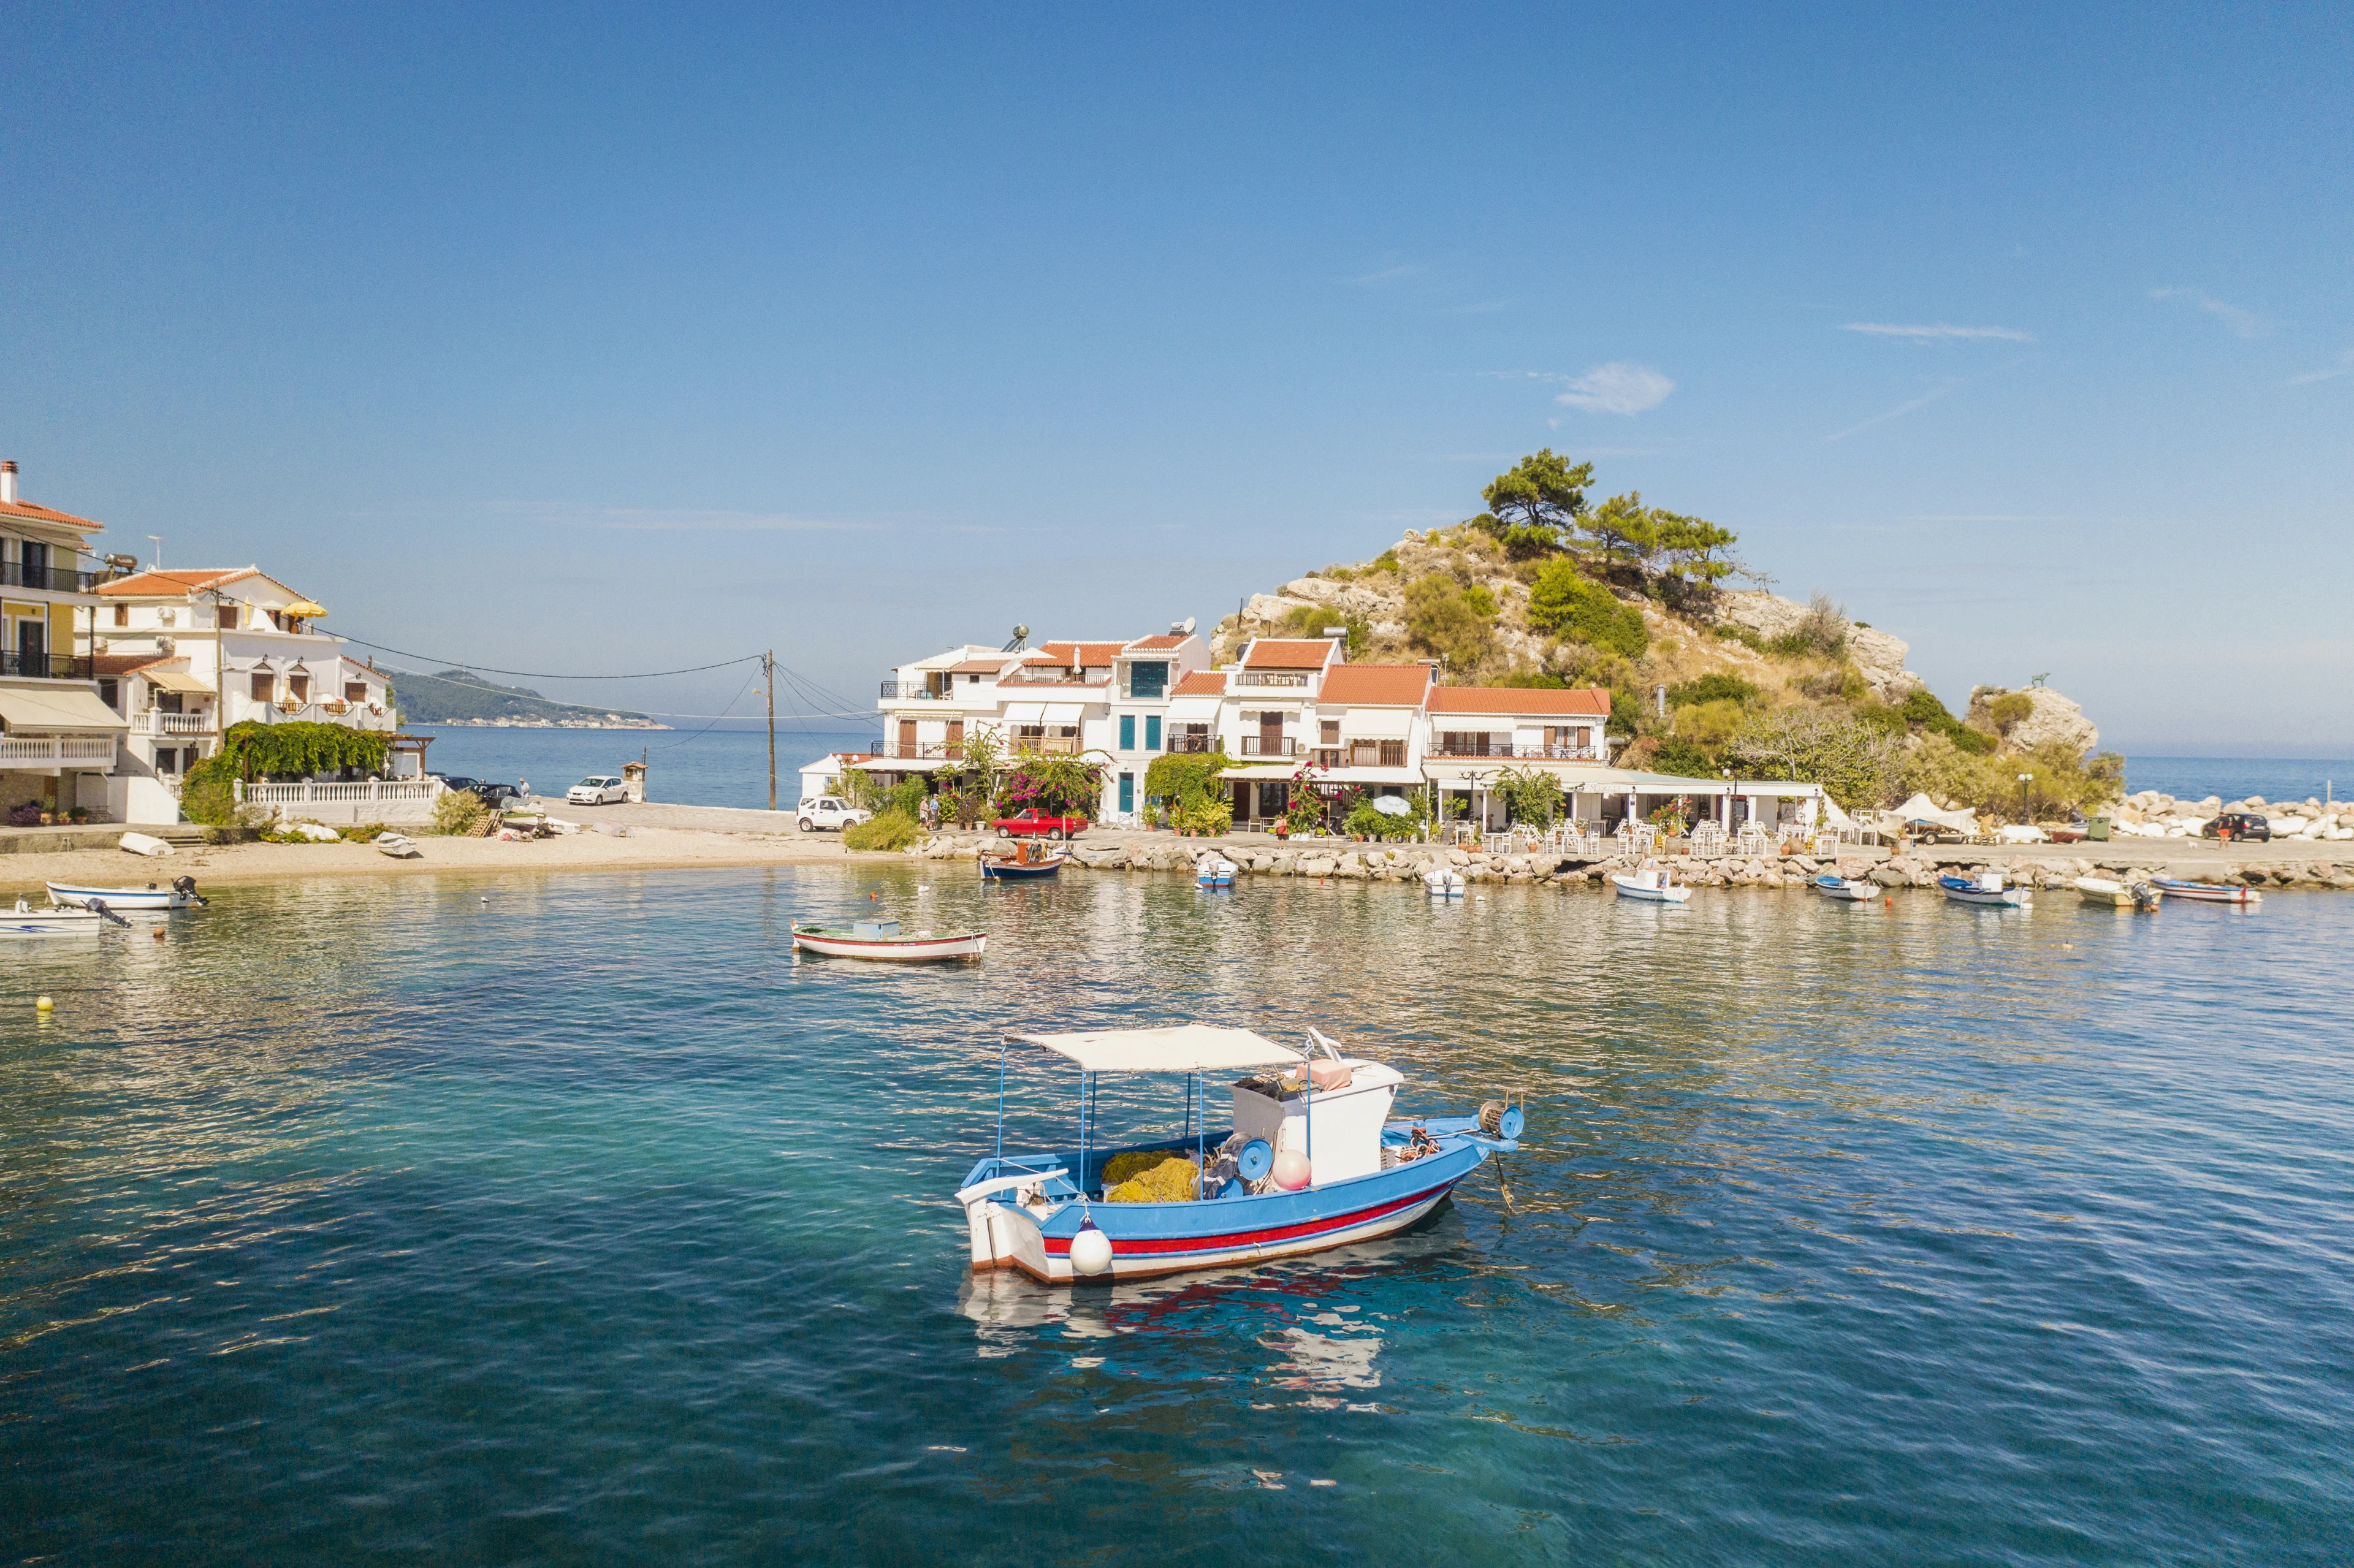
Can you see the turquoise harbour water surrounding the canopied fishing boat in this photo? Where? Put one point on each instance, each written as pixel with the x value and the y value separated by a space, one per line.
pixel 550 1221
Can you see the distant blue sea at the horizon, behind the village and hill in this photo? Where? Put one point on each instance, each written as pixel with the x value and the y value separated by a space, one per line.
pixel 731 766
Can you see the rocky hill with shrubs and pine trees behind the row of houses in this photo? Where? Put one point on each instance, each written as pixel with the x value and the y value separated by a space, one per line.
pixel 1545 590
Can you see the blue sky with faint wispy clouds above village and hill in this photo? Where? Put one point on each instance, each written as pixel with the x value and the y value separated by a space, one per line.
pixel 604 340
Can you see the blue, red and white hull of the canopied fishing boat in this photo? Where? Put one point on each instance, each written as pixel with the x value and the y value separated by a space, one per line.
pixel 1155 1240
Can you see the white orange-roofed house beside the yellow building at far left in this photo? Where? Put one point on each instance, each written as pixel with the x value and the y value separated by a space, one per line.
pixel 185 656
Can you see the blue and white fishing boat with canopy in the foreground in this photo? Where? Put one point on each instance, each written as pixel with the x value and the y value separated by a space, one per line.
pixel 1312 1162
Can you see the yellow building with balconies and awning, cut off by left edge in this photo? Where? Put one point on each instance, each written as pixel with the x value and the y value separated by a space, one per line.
pixel 60 738
